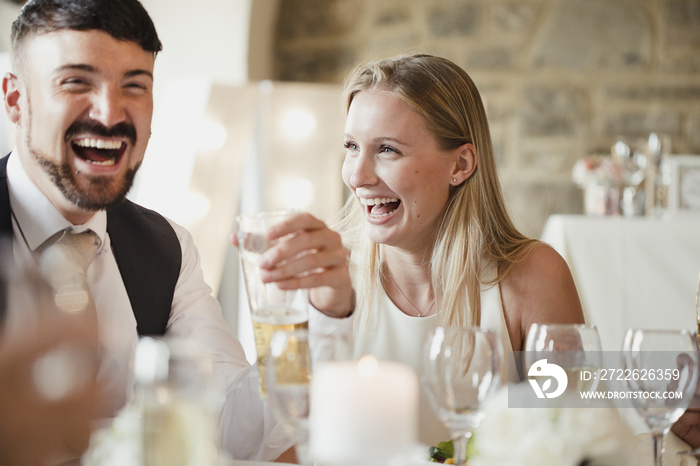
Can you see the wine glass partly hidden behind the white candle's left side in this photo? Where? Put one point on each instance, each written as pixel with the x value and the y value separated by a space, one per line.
pixel 291 358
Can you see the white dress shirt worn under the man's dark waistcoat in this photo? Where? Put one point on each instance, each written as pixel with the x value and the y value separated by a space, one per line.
pixel 248 429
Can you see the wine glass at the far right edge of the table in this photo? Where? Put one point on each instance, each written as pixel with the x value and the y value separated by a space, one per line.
pixel 661 363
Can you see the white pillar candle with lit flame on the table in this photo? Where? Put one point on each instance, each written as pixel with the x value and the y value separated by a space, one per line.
pixel 362 411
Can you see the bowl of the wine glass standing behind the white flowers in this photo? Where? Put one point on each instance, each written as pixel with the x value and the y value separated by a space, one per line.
pixel 575 348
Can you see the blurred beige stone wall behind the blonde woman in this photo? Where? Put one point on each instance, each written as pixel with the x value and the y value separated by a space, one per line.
pixel 561 78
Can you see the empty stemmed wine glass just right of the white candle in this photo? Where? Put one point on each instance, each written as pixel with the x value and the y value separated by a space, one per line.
pixel 460 368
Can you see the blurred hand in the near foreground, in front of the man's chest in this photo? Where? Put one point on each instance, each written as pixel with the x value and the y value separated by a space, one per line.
pixel 43 421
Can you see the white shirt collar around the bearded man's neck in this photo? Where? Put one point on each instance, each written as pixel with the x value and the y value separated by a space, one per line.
pixel 38 219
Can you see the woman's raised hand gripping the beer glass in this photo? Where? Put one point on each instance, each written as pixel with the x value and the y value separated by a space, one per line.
pixel 309 255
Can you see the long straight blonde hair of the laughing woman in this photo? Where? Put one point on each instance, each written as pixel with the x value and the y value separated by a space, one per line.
pixel 475 228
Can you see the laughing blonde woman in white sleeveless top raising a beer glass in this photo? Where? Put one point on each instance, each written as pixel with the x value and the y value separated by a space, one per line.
pixel 430 239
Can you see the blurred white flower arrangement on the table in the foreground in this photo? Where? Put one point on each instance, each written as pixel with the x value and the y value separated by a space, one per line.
pixel 550 436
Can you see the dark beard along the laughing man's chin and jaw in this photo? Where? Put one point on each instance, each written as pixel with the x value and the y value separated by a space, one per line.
pixel 101 193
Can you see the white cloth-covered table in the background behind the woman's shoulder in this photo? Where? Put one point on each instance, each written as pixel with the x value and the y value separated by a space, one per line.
pixel 630 272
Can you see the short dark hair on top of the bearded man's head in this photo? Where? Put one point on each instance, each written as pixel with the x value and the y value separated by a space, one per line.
pixel 122 19
